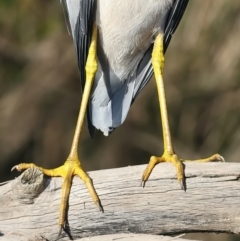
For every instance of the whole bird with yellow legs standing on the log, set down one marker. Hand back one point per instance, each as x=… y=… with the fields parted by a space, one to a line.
x=120 y=45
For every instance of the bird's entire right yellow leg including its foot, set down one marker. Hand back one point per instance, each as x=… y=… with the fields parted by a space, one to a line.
x=169 y=154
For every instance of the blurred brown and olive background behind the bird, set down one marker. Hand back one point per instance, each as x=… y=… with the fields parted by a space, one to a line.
x=40 y=92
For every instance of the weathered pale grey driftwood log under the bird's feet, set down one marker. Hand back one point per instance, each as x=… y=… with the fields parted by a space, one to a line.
x=211 y=203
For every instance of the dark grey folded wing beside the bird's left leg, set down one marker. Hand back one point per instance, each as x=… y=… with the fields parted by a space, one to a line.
x=79 y=15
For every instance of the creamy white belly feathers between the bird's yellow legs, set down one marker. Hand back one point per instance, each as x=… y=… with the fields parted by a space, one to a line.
x=127 y=28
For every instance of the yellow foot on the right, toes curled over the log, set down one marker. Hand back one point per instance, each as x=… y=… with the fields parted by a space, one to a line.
x=178 y=163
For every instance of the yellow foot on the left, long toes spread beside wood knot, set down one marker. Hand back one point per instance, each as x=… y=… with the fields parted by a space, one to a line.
x=70 y=168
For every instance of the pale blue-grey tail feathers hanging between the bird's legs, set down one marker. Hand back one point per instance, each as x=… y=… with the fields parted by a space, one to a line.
x=112 y=98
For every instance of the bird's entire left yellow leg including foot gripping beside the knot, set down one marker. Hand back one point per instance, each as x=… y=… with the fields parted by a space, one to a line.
x=72 y=166
